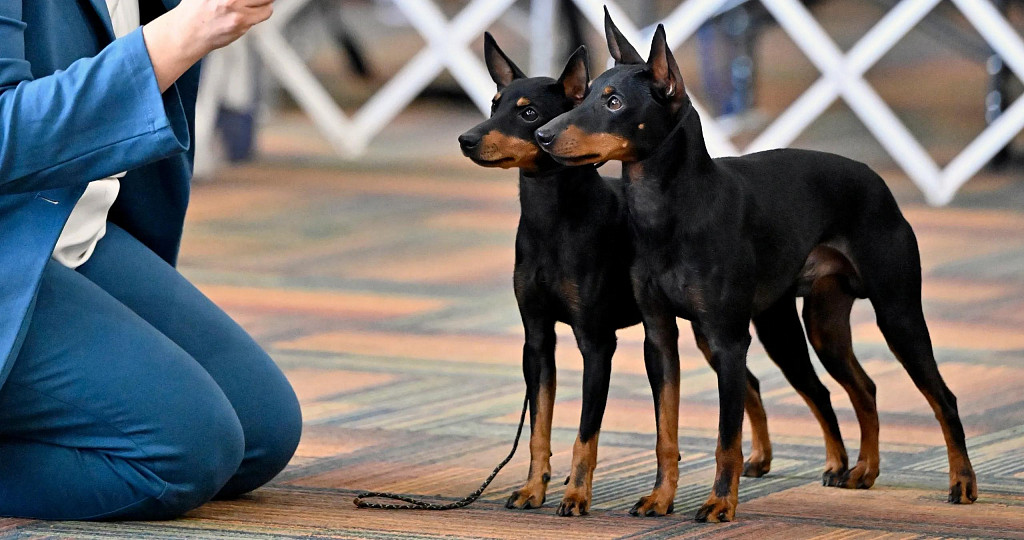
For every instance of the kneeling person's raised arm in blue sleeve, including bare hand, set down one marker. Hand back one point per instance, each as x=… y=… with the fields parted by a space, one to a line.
x=110 y=113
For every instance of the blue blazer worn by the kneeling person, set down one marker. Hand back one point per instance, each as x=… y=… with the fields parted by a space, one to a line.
x=77 y=106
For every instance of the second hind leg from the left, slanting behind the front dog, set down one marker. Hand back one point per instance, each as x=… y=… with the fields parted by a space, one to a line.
x=780 y=331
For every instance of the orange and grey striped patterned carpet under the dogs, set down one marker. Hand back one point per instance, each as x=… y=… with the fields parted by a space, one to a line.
x=386 y=295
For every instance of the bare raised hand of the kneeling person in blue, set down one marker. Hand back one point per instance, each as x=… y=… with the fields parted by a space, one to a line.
x=180 y=38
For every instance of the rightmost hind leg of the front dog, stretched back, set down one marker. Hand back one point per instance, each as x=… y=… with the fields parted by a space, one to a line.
x=895 y=293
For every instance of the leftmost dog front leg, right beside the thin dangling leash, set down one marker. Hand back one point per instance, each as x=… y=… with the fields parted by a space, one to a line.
x=539 y=370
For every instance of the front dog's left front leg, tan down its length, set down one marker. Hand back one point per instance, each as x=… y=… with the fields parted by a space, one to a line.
x=661 y=349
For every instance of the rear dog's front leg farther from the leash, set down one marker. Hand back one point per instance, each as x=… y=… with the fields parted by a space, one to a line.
x=598 y=349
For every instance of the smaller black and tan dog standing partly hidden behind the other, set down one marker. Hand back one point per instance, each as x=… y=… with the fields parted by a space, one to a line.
x=573 y=262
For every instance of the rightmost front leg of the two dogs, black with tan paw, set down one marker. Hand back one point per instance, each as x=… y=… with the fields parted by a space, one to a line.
x=729 y=345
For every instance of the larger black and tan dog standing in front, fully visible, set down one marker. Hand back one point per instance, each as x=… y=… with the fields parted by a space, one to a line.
x=722 y=242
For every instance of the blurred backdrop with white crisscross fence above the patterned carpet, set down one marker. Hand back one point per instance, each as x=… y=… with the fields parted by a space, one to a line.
x=375 y=81
